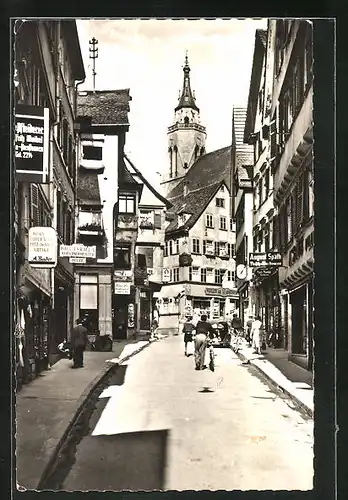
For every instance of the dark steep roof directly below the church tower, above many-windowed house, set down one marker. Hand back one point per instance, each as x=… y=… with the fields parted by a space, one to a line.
x=201 y=182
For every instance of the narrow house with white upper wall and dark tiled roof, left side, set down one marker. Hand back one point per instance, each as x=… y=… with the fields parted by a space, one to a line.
x=103 y=118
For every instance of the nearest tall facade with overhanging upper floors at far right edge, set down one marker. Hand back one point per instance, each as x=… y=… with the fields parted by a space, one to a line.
x=292 y=163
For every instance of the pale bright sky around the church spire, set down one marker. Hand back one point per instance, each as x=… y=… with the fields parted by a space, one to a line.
x=147 y=56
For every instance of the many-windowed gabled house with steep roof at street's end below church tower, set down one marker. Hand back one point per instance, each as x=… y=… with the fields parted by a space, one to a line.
x=199 y=271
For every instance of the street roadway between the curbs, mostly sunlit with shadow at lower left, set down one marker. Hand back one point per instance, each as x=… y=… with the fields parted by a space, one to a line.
x=162 y=425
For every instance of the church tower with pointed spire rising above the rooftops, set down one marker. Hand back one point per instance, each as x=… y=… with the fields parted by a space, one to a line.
x=186 y=137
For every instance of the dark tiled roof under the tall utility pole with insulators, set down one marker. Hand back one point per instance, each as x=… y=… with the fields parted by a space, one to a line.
x=105 y=107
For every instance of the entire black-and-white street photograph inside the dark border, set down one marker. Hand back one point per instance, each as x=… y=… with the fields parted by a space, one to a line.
x=164 y=254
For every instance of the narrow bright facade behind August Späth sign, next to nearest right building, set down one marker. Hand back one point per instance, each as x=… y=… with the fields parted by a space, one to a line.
x=265 y=280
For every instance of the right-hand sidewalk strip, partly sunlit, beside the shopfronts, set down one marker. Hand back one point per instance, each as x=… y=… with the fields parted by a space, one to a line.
x=294 y=380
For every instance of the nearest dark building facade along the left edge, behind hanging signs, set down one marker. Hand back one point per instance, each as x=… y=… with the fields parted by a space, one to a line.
x=47 y=69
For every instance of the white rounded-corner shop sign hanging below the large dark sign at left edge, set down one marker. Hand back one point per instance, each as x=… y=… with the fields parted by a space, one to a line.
x=42 y=247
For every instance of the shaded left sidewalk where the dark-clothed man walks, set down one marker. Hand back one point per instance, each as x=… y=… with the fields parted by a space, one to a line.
x=47 y=406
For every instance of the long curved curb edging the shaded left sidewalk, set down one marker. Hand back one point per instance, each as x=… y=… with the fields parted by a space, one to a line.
x=81 y=403
